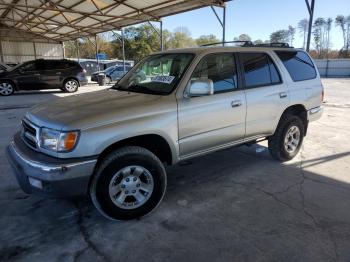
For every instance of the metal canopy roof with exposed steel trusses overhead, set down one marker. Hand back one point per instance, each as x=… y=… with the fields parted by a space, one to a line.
x=62 y=20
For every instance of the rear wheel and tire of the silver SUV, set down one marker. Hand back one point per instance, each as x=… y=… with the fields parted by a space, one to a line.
x=285 y=144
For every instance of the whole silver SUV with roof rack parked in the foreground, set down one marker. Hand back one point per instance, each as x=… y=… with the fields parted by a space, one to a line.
x=115 y=144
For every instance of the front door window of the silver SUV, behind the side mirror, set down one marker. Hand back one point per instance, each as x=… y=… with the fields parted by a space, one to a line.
x=221 y=69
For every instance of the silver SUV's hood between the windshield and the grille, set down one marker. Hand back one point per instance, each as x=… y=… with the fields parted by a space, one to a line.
x=92 y=109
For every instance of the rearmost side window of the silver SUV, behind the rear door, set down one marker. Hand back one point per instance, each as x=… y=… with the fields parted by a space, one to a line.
x=298 y=64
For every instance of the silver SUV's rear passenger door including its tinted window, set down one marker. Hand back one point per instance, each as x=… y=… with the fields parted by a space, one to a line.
x=266 y=94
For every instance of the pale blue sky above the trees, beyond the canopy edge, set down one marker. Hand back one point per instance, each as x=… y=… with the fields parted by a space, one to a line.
x=259 y=18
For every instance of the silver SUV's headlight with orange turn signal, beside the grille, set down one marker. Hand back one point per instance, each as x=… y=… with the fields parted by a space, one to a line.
x=57 y=141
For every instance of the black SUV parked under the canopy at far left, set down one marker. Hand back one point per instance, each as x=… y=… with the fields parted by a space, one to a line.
x=43 y=74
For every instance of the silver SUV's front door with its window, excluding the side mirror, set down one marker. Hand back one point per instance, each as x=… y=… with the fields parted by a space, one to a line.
x=208 y=122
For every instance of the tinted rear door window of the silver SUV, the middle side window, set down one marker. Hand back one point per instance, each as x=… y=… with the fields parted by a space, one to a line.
x=259 y=70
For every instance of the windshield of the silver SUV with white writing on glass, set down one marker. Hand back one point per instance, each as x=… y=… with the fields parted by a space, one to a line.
x=156 y=74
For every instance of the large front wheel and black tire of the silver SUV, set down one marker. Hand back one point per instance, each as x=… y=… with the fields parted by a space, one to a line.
x=129 y=183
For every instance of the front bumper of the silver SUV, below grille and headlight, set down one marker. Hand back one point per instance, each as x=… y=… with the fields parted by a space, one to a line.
x=41 y=174
